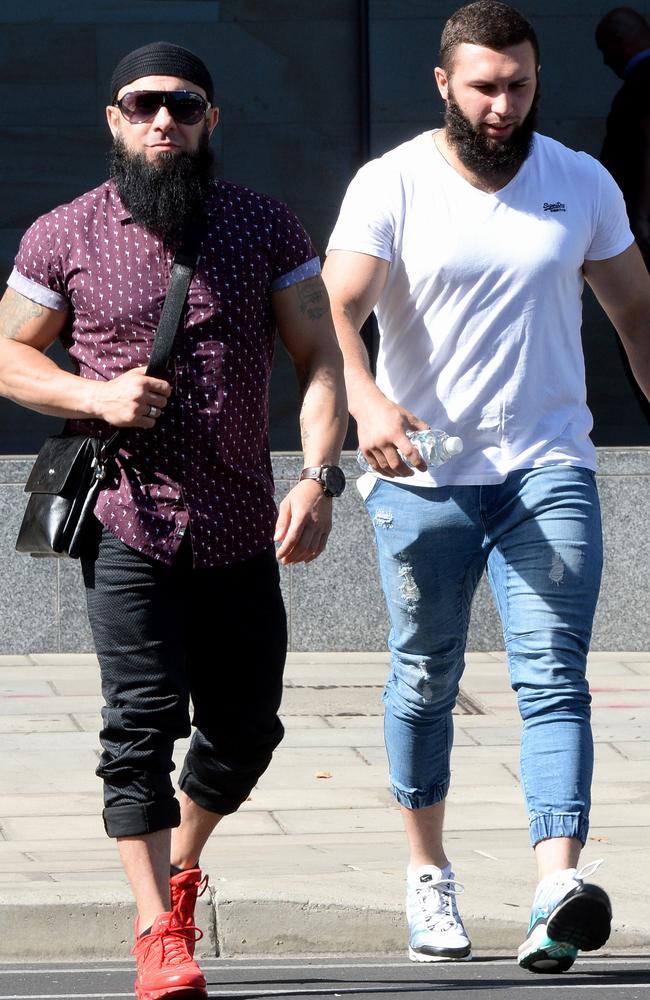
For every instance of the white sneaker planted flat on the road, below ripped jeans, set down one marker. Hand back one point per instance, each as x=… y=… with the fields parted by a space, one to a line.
x=436 y=932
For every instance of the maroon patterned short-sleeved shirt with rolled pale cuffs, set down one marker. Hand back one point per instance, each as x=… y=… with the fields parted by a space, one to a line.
x=206 y=464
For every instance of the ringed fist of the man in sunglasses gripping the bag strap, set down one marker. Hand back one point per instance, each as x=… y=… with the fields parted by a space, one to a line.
x=132 y=399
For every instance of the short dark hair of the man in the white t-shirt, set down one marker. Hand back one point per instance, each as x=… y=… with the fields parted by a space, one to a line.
x=485 y=22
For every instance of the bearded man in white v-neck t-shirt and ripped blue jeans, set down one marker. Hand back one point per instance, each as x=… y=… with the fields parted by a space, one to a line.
x=472 y=244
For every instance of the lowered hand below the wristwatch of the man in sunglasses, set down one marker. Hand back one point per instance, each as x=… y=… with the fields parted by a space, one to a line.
x=304 y=523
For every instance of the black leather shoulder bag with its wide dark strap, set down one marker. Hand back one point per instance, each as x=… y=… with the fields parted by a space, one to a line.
x=69 y=470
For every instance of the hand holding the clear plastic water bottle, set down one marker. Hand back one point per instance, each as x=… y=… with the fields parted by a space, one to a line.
x=382 y=430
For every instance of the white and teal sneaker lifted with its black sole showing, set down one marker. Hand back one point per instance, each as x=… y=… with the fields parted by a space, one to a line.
x=568 y=914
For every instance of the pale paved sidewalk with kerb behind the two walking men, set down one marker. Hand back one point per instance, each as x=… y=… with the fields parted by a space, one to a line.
x=314 y=862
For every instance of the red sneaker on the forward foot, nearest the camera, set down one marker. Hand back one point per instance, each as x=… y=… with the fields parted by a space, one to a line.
x=165 y=966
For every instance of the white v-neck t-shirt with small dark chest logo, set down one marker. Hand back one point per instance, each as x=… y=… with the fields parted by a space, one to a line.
x=480 y=316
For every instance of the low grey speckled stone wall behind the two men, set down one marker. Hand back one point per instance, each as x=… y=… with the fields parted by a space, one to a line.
x=336 y=603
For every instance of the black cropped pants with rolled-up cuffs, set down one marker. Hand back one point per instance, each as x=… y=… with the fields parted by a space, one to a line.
x=165 y=634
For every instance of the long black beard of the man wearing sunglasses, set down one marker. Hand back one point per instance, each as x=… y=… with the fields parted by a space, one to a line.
x=164 y=195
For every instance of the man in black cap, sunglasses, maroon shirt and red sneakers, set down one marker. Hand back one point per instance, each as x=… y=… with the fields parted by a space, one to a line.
x=183 y=583
